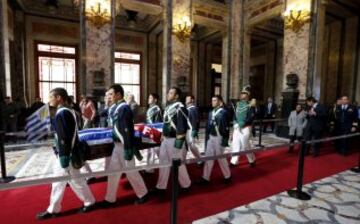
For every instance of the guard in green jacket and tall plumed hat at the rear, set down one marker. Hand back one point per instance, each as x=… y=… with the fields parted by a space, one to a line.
x=243 y=118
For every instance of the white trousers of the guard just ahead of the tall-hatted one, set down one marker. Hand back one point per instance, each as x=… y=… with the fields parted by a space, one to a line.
x=214 y=148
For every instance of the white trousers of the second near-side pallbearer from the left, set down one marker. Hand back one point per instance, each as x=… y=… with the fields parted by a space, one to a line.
x=117 y=162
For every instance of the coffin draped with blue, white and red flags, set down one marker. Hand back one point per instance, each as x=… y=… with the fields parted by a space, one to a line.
x=100 y=141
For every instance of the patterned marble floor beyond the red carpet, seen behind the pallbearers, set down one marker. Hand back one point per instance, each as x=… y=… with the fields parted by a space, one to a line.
x=35 y=162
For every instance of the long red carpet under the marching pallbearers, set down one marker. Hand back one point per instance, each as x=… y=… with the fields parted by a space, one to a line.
x=275 y=172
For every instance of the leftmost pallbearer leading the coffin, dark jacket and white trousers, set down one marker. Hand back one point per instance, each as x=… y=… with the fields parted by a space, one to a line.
x=66 y=140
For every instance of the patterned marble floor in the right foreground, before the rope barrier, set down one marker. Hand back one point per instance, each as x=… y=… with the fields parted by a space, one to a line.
x=335 y=200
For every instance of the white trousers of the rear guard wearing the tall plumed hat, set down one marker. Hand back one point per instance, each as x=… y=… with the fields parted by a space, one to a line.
x=241 y=142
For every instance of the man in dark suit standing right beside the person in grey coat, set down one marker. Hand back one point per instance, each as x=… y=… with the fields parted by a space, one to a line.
x=317 y=117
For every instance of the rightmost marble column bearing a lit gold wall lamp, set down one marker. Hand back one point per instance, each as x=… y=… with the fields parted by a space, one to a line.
x=303 y=49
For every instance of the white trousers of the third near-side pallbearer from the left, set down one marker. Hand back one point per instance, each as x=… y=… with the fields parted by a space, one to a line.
x=167 y=153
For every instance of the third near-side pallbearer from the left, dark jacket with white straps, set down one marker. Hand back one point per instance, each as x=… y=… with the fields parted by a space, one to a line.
x=172 y=145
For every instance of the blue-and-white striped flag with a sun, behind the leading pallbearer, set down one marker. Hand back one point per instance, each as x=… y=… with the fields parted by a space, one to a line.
x=38 y=124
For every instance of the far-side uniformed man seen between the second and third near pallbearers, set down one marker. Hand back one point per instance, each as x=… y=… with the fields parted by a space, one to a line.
x=153 y=115
